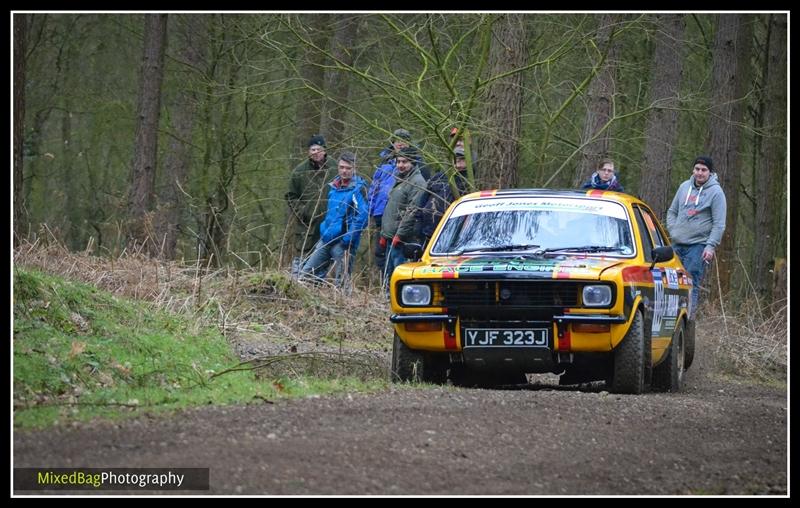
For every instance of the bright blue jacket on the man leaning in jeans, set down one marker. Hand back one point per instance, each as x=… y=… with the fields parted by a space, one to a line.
x=347 y=212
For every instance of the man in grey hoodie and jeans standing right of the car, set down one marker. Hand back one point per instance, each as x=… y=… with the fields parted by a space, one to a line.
x=696 y=221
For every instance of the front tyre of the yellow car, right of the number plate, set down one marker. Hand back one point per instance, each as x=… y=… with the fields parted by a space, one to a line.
x=629 y=370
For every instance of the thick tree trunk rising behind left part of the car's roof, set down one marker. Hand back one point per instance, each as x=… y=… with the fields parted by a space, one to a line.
x=499 y=142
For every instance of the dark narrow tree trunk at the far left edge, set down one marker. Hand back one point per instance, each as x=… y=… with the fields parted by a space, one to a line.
x=20 y=46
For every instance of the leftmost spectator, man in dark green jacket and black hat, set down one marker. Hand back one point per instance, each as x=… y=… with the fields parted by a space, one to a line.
x=307 y=199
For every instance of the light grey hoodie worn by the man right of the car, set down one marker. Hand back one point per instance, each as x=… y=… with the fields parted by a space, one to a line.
x=697 y=215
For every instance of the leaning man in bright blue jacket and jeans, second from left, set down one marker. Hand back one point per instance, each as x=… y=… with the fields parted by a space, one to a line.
x=345 y=219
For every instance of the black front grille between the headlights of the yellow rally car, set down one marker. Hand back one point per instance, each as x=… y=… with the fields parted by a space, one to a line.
x=511 y=294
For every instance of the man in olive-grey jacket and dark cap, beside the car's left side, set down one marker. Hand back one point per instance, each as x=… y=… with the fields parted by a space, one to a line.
x=399 y=217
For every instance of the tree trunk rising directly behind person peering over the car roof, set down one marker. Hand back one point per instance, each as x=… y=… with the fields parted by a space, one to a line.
x=600 y=98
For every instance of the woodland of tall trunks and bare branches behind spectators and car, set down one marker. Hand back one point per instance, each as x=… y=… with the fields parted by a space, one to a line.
x=174 y=134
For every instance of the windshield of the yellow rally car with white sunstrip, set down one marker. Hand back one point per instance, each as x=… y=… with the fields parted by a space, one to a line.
x=536 y=224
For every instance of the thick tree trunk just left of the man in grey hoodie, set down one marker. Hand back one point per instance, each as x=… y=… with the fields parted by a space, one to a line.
x=662 y=124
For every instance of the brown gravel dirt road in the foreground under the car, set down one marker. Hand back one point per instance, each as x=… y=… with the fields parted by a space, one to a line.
x=717 y=437
